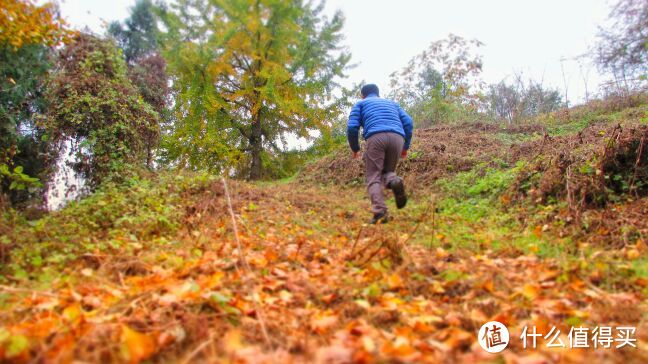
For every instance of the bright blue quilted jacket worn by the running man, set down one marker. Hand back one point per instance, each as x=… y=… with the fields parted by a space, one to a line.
x=376 y=115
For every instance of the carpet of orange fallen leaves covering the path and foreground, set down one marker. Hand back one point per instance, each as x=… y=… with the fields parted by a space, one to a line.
x=321 y=286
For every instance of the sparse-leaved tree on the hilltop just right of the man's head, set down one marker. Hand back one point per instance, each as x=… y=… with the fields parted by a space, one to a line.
x=440 y=81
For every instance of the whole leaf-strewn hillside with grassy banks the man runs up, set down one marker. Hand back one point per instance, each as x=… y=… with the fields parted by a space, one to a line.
x=541 y=224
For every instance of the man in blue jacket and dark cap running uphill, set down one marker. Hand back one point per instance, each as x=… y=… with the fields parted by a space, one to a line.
x=388 y=132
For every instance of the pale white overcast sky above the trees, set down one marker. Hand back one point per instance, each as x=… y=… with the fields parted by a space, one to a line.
x=528 y=37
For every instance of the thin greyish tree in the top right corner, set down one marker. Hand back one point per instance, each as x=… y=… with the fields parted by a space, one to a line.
x=622 y=48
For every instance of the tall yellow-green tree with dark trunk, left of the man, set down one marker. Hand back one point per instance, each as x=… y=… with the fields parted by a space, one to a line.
x=246 y=73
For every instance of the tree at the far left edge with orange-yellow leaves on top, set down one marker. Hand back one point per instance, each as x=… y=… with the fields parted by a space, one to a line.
x=28 y=32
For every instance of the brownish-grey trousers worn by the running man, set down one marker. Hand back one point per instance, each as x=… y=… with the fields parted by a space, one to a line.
x=381 y=157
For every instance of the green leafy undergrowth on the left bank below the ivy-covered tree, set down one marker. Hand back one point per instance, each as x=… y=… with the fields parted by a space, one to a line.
x=116 y=219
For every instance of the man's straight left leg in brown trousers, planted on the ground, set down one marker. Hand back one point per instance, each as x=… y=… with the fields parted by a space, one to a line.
x=374 y=158
